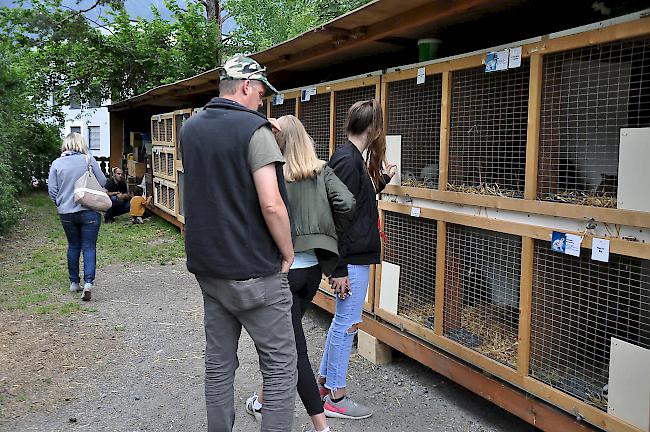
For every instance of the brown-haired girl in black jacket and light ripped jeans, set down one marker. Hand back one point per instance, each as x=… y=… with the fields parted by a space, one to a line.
x=359 y=246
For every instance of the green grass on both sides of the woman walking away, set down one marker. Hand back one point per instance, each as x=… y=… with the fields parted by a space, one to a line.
x=35 y=268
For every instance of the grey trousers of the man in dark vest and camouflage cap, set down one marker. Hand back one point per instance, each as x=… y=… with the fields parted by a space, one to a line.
x=263 y=307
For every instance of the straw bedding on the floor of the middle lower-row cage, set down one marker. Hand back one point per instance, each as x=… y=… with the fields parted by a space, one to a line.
x=496 y=340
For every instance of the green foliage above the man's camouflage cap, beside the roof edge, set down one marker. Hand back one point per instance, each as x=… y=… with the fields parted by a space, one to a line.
x=262 y=24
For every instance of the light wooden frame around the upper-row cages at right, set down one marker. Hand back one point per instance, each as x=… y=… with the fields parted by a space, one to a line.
x=535 y=52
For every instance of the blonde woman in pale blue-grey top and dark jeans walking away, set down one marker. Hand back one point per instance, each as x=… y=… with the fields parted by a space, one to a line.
x=80 y=224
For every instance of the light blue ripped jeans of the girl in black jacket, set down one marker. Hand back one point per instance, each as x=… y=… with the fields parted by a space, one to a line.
x=338 y=346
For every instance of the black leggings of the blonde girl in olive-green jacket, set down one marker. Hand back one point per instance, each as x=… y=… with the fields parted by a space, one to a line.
x=304 y=283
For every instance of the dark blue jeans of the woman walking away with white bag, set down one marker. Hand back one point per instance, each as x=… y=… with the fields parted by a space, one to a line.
x=81 y=229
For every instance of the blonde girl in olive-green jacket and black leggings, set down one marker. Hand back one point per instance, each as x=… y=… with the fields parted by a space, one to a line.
x=320 y=206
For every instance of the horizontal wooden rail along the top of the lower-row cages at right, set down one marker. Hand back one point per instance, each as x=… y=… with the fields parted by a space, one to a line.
x=617 y=246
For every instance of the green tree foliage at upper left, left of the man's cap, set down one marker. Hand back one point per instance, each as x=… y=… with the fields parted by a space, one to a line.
x=113 y=57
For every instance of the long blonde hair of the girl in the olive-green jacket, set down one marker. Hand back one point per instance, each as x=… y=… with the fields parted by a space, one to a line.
x=297 y=147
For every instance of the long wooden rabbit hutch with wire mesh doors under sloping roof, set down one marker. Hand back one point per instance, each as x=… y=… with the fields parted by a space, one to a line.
x=516 y=233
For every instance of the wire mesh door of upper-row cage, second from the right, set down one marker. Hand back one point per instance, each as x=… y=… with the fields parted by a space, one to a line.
x=487 y=144
